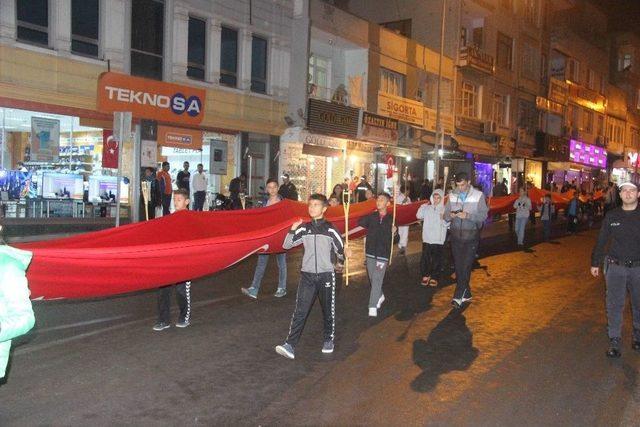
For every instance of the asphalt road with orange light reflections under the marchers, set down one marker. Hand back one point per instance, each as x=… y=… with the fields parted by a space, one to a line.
x=528 y=351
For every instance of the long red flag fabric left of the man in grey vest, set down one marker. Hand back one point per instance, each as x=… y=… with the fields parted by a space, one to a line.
x=171 y=249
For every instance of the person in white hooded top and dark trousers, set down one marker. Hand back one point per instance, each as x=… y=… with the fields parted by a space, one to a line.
x=434 y=234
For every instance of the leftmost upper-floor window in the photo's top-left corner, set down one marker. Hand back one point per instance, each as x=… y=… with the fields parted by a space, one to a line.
x=33 y=21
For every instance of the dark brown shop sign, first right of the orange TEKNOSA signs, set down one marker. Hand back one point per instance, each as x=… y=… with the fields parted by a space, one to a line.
x=332 y=119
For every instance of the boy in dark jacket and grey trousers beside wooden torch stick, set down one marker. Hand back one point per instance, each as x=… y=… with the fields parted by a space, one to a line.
x=380 y=232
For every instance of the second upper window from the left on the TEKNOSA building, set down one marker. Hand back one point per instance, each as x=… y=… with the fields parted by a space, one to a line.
x=85 y=26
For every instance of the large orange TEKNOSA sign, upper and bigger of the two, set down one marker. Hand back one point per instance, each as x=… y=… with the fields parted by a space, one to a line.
x=150 y=99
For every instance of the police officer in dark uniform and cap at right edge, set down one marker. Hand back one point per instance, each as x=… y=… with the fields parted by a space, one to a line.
x=620 y=232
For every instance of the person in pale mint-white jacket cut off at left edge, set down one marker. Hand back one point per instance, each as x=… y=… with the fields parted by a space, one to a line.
x=16 y=313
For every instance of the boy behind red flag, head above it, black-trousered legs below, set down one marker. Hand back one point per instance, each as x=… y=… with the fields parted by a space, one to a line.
x=183 y=290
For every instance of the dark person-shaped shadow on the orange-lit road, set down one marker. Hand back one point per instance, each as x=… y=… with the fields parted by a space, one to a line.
x=449 y=347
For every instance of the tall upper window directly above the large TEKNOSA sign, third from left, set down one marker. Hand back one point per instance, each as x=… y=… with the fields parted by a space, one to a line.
x=147 y=29
